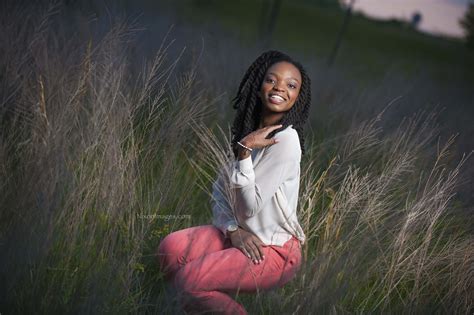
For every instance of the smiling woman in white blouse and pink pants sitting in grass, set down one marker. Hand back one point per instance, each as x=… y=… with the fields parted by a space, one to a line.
x=255 y=240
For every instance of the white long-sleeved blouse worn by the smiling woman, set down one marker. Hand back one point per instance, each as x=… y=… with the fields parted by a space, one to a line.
x=260 y=192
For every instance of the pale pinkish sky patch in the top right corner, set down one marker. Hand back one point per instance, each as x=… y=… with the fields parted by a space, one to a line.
x=438 y=16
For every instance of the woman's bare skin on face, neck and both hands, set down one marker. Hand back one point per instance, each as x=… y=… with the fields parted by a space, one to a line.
x=278 y=93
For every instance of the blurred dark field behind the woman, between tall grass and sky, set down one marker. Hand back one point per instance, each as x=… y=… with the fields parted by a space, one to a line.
x=379 y=64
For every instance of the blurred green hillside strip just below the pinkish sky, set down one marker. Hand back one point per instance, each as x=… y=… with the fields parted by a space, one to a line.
x=368 y=46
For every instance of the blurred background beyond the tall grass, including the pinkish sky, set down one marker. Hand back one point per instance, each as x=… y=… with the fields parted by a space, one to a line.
x=362 y=55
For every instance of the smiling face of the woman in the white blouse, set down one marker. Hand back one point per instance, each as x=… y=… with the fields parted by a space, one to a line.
x=280 y=87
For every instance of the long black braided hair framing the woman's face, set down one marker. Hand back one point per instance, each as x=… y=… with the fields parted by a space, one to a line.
x=249 y=105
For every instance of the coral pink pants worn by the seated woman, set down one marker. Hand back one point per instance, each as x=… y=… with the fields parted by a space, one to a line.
x=205 y=269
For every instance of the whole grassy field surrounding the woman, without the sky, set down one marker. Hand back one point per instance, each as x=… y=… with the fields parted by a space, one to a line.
x=111 y=136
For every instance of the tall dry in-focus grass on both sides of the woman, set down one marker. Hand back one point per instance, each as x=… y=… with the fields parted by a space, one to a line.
x=99 y=163
